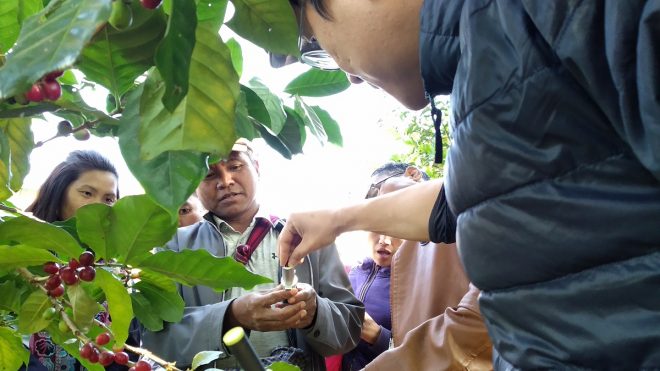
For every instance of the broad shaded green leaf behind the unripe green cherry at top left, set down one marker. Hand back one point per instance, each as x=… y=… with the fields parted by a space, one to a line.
x=114 y=59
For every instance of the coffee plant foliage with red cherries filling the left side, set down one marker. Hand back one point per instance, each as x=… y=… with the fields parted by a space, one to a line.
x=175 y=103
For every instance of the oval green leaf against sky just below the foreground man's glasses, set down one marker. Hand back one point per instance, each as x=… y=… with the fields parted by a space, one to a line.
x=318 y=83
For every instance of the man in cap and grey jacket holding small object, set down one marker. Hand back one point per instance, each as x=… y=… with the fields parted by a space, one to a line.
x=322 y=317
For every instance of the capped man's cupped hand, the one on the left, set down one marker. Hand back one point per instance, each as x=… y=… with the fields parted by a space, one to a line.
x=259 y=311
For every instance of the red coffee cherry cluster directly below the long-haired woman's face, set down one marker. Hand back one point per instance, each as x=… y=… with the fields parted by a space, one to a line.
x=82 y=269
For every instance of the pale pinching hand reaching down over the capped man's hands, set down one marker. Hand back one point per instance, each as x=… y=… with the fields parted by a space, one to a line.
x=306 y=232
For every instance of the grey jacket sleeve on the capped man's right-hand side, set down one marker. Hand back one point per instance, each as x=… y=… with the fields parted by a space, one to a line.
x=339 y=314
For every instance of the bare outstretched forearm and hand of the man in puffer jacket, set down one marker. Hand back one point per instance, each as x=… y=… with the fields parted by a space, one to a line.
x=402 y=214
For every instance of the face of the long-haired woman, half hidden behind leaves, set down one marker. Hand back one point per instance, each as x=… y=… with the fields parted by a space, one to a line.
x=91 y=187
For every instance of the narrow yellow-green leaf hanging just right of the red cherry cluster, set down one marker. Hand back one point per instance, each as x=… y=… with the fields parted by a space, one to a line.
x=119 y=304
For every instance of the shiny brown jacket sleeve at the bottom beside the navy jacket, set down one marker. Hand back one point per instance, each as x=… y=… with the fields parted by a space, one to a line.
x=454 y=340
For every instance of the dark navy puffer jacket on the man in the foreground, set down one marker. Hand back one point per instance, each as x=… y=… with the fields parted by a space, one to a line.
x=554 y=173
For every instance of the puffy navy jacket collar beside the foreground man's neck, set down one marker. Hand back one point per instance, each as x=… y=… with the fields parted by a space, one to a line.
x=439 y=44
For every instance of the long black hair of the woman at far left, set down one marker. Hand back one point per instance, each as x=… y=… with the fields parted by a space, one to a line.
x=51 y=194
